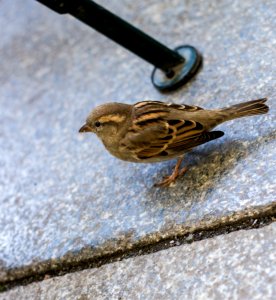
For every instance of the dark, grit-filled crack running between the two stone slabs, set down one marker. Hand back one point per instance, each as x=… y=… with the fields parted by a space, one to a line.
x=246 y=223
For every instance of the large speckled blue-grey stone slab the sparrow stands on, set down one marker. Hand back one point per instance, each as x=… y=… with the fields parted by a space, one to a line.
x=62 y=197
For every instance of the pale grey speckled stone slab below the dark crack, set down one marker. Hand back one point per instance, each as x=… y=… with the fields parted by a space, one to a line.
x=240 y=265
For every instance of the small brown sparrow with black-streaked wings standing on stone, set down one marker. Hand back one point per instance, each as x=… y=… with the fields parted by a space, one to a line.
x=154 y=131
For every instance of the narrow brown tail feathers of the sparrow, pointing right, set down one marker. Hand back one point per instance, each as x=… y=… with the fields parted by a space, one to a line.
x=250 y=108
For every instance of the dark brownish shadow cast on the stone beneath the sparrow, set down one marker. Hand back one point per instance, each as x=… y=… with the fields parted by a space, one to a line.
x=206 y=168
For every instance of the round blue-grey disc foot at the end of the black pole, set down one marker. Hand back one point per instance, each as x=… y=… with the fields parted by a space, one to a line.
x=180 y=74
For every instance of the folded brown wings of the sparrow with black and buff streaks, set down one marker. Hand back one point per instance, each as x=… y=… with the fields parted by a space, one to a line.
x=155 y=133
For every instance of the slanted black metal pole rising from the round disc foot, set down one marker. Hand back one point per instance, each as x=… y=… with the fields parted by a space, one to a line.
x=125 y=34
